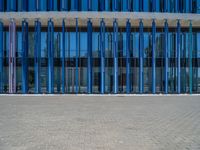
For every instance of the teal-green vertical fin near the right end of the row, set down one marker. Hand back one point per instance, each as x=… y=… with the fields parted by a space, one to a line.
x=190 y=58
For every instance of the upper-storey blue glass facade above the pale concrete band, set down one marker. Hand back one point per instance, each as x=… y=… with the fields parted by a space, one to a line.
x=173 y=6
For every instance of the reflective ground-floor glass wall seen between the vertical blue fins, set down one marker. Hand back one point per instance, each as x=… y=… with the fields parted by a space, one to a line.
x=76 y=60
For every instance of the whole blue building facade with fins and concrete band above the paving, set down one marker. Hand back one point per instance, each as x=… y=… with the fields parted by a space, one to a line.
x=100 y=46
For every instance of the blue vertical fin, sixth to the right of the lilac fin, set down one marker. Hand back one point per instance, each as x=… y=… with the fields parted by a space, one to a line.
x=89 y=55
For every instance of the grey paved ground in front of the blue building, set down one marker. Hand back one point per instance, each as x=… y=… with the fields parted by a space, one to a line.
x=100 y=123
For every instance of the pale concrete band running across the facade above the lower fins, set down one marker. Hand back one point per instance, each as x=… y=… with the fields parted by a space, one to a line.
x=97 y=16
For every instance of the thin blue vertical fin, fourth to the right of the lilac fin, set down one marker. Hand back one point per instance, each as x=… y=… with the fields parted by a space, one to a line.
x=63 y=56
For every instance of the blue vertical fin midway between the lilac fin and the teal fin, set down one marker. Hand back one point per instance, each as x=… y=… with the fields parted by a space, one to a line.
x=102 y=49
